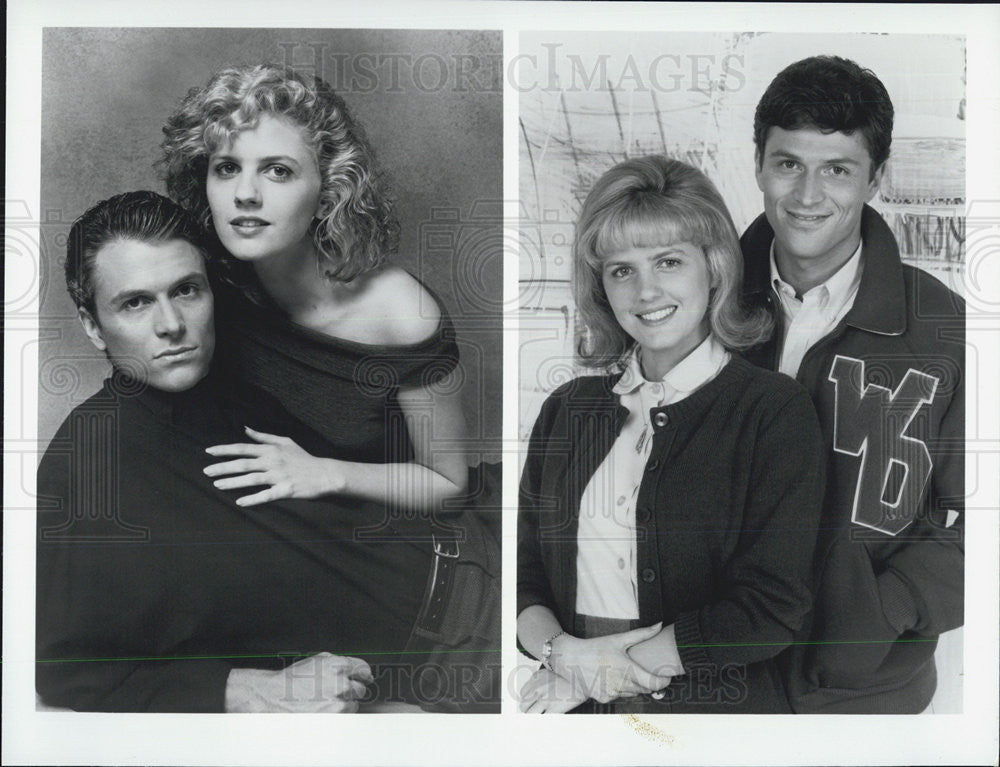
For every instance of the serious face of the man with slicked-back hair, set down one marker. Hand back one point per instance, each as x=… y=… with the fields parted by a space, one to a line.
x=154 y=311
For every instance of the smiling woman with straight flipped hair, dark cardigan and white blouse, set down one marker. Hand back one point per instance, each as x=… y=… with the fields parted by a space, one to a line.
x=644 y=583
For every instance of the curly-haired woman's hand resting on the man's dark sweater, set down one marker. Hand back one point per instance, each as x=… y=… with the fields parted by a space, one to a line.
x=278 y=464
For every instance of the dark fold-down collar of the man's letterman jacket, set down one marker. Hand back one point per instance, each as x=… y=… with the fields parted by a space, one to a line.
x=880 y=306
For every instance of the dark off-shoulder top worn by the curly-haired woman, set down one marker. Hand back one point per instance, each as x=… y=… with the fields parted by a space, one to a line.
x=345 y=390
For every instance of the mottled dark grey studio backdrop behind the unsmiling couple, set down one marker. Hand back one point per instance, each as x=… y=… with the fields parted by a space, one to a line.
x=429 y=101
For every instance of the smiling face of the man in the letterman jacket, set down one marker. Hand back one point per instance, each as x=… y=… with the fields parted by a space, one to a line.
x=815 y=186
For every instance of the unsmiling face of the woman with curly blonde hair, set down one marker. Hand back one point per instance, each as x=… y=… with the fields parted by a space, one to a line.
x=264 y=191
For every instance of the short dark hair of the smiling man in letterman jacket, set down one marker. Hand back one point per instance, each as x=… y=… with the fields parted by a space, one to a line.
x=831 y=94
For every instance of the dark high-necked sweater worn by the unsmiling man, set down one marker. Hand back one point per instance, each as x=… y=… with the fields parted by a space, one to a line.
x=153 y=584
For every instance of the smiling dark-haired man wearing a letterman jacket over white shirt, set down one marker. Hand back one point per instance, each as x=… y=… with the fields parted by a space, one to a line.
x=880 y=347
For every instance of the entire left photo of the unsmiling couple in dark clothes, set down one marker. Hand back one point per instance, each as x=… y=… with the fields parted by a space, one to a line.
x=270 y=371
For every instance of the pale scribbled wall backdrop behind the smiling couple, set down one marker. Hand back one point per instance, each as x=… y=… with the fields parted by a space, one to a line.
x=591 y=100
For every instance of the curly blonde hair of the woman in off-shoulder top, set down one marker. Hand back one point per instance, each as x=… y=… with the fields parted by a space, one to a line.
x=358 y=229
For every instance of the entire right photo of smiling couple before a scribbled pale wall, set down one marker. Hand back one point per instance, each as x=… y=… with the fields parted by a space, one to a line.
x=742 y=372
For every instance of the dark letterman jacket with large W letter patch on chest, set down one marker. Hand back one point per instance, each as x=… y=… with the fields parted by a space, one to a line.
x=888 y=384
